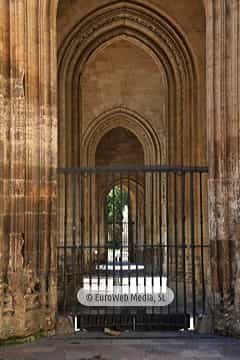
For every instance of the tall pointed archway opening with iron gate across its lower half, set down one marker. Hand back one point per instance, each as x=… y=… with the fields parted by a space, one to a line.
x=122 y=132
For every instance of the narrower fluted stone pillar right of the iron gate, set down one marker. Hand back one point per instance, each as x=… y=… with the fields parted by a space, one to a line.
x=223 y=81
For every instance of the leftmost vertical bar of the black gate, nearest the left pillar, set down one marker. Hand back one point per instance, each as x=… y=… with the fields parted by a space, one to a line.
x=65 y=242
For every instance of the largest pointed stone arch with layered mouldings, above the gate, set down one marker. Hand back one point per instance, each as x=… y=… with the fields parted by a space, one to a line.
x=162 y=41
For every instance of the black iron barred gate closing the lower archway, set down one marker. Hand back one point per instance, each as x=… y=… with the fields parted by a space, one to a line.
x=138 y=227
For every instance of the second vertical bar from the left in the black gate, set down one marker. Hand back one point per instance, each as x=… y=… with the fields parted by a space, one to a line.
x=74 y=240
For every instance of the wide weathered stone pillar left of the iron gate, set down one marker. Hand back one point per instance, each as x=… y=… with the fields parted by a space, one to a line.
x=28 y=162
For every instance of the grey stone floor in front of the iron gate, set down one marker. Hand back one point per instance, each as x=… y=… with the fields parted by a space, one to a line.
x=149 y=346
